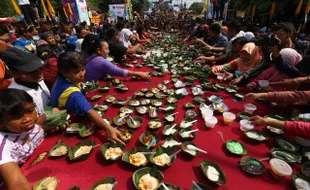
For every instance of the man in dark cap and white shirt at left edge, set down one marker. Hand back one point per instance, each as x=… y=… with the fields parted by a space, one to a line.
x=26 y=70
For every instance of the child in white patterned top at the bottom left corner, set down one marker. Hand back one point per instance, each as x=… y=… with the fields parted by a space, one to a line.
x=19 y=135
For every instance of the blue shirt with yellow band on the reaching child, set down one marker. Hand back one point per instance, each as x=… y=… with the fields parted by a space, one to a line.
x=67 y=95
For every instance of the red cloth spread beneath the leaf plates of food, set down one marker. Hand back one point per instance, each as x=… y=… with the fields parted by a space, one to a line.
x=181 y=173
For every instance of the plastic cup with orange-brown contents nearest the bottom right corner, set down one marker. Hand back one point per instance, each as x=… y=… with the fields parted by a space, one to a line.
x=280 y=168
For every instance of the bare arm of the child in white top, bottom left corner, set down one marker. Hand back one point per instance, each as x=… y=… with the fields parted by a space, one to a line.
x=13 y=177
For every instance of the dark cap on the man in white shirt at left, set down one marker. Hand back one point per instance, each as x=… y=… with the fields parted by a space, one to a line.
x=20 y=60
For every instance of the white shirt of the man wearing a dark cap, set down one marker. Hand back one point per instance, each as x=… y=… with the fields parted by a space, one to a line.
x=41 y=96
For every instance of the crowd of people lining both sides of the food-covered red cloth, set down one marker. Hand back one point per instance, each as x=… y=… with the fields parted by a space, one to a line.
x=44 y=67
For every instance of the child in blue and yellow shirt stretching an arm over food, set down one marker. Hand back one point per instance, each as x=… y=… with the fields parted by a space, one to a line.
x=67 y=94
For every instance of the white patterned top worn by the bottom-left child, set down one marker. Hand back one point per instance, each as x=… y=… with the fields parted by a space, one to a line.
x=18 y=147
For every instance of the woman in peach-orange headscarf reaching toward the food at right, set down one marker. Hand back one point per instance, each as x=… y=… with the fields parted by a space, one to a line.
x=249 y=56
